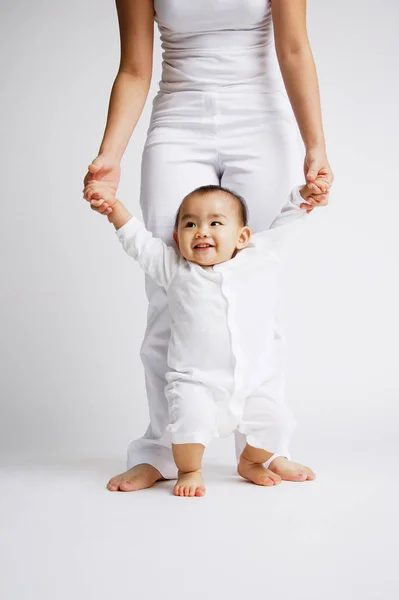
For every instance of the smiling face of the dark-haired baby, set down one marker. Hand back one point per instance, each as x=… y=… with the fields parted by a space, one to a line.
x=209 y=229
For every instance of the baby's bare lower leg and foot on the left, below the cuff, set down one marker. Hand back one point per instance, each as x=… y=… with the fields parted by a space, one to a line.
x=188 y=459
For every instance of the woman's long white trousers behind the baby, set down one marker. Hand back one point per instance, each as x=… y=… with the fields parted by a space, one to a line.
x=246 y=142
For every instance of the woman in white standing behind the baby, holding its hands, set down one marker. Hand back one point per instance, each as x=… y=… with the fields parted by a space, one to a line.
x=232 y=74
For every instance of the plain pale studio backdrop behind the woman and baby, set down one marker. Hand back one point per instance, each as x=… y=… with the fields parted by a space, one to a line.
x=73 y=306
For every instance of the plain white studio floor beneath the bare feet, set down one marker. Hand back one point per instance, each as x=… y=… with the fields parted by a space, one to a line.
x=63 y=535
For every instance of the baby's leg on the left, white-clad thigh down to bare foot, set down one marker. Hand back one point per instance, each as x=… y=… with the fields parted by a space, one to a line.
x=193 y=424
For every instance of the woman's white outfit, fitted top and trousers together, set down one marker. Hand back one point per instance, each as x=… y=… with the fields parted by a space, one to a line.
x=212 y=122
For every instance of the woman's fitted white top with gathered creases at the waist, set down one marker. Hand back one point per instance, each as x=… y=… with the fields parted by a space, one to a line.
x=217 y=45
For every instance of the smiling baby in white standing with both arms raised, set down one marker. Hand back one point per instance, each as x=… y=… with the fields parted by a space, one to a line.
x=222 y=293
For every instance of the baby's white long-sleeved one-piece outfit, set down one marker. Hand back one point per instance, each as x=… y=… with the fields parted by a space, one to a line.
x=220 y=356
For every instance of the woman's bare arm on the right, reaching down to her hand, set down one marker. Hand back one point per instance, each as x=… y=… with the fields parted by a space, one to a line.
x=300 y=78
